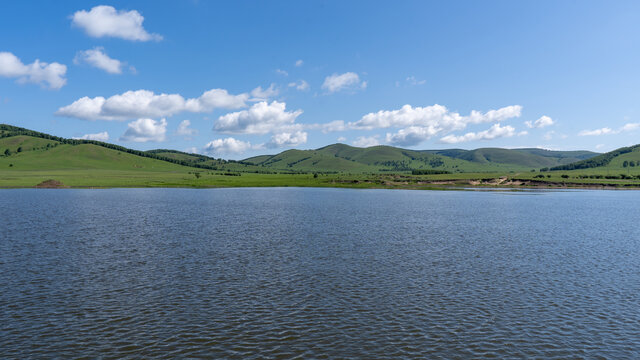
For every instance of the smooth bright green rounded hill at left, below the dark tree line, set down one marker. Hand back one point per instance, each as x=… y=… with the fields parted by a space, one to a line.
x=84 y=157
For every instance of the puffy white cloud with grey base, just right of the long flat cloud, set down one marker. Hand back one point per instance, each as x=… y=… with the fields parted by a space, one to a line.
x=261 y=118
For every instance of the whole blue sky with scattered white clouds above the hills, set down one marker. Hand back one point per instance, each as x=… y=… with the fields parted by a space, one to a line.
x=236 y=79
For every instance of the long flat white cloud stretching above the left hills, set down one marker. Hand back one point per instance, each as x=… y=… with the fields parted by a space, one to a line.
x=147 y=104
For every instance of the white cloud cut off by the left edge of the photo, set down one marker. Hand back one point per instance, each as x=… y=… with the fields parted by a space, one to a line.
x=36 y=72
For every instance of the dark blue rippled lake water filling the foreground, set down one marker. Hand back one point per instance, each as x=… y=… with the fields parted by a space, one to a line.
x=319 y=273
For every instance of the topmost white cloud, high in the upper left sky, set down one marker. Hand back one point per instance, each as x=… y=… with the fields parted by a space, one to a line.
x=106 y=21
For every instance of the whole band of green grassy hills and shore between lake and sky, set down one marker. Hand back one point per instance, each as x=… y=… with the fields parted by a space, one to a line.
x=28 y=158
